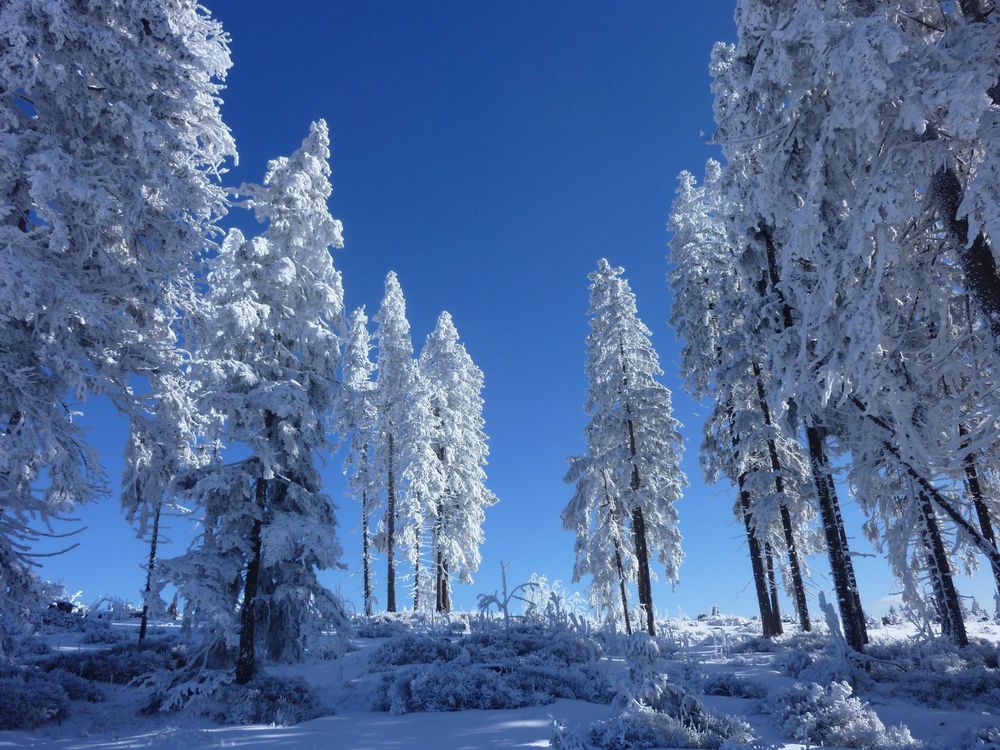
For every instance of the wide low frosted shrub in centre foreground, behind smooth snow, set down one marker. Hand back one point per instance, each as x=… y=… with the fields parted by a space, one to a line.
x=456 y=686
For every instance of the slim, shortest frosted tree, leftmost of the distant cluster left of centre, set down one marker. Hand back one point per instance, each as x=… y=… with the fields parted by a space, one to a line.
x=356 y=419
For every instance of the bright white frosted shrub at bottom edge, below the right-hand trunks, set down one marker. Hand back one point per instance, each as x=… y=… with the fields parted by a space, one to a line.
x=834 y=716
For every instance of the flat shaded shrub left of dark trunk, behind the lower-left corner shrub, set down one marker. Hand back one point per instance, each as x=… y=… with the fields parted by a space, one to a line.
x=120 y=664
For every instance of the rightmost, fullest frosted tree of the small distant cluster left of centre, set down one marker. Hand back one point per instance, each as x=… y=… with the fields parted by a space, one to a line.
x=455 y=386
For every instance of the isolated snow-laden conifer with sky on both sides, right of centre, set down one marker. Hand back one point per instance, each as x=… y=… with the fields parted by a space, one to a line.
x=631 y=471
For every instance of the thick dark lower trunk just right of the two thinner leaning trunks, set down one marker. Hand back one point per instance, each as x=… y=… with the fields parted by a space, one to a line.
x=847 y=598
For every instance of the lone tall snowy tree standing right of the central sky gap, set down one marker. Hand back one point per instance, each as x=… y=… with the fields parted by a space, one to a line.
x=632 y=431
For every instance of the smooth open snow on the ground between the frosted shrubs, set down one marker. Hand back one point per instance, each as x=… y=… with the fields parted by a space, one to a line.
x=709 y=647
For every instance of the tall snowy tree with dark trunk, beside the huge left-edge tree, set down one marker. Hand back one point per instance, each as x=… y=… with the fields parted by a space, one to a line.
x=271 y=354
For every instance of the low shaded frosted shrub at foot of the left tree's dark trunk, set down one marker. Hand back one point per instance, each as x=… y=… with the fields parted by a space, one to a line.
x=265 y=699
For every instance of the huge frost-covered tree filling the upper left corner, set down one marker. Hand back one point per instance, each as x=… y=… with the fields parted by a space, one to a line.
x=111 y=142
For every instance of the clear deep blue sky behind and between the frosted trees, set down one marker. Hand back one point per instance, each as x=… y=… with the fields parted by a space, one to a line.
x=490 y=153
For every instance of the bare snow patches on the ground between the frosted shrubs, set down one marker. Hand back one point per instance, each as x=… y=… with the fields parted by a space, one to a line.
x=718 y=651
